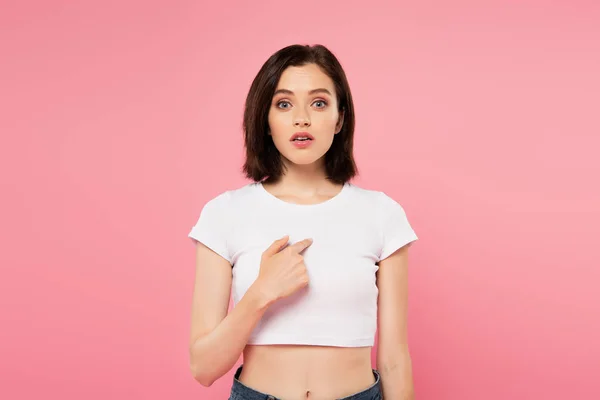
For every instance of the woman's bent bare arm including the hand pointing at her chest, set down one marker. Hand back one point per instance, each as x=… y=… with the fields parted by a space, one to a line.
x=218 y=338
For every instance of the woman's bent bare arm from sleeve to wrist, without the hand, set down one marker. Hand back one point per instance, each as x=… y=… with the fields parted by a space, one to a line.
x=218 y=338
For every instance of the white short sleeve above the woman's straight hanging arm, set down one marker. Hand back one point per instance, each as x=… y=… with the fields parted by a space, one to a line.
x=396 y=231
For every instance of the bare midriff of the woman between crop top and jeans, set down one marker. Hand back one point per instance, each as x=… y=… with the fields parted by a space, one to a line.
x=307 y=372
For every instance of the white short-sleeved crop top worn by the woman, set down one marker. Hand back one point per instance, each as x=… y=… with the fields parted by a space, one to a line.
x=351 y=232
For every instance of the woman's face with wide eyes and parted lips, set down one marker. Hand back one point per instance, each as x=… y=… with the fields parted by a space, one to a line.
x=304 y=101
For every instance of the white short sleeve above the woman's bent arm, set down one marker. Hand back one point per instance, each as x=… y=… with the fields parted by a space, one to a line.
x=213 y=225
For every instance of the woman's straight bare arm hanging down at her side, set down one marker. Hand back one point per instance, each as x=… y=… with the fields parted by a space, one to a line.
x=393 y=358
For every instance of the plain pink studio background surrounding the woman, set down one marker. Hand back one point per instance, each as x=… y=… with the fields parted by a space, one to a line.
x=119 y=119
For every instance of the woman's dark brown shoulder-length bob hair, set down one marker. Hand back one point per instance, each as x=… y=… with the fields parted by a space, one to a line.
x=263 y=160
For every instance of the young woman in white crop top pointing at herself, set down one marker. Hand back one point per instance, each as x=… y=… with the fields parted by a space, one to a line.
x=316 y=264
